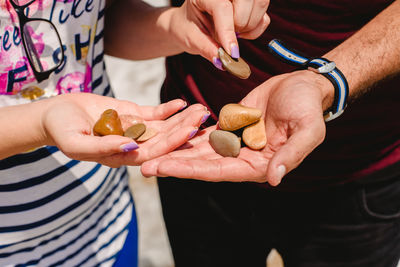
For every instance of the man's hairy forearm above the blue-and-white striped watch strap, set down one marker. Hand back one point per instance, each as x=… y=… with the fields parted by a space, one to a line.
x=370 y=55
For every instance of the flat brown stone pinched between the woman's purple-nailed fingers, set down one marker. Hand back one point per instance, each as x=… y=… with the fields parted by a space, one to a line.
x=237 y=67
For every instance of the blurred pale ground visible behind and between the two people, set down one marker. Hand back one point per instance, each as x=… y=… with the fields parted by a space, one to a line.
x=140 y=82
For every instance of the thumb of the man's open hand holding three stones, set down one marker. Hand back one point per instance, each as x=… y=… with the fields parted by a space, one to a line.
x=293 y=152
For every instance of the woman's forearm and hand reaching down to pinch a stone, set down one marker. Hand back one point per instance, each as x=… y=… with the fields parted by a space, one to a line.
x=136 y=30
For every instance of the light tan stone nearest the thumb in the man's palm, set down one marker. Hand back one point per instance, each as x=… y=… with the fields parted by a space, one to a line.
x=254 y=135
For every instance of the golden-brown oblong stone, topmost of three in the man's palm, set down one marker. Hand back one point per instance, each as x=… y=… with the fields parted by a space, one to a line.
x=235 y=116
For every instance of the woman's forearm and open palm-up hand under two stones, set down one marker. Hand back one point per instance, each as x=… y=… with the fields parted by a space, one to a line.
x=66 y=121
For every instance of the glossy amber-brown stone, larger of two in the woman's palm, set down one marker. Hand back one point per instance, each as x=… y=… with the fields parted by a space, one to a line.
x=109 y=123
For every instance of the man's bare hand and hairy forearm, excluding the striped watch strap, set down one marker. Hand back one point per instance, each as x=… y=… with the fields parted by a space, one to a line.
x=294 y=121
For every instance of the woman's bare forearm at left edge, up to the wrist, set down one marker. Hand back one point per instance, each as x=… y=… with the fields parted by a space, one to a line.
x=22 y=128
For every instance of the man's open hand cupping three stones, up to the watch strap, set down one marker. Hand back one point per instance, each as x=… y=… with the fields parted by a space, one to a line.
x=292 y=105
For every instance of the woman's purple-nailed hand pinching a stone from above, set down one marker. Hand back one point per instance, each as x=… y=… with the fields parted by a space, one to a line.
x=201 y=25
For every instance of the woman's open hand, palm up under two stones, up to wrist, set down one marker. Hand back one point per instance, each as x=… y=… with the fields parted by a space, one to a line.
x=69 y=120
